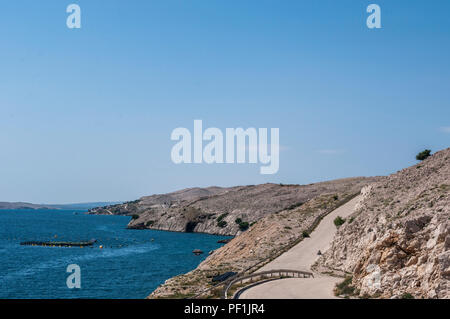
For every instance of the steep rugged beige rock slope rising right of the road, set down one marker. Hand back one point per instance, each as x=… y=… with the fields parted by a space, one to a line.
x=397 y=243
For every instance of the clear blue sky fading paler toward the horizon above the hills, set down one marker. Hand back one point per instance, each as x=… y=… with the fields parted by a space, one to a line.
x=86 y=115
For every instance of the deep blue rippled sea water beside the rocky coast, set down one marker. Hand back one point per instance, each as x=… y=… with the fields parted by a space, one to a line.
x=130 y=265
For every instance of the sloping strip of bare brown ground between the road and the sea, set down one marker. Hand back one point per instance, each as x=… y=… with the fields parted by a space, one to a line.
x=263 y=241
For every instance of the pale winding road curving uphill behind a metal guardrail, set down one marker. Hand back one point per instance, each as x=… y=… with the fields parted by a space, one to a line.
x=302 y=257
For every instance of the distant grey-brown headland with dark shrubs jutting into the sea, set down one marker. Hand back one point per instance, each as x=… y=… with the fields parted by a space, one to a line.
x=224 y=211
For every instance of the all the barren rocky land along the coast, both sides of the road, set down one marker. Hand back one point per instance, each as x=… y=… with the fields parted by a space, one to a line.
x=396 y=244
